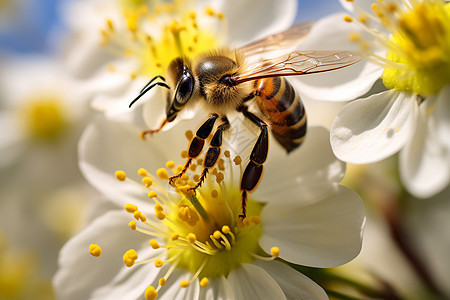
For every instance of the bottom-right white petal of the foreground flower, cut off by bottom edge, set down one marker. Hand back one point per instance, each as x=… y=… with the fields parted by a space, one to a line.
x=294 y=284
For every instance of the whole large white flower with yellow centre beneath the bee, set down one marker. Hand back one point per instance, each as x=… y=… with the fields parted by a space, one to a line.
x=299 y=209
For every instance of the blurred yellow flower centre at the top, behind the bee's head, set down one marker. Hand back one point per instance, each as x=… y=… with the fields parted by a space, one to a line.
x=155 y=35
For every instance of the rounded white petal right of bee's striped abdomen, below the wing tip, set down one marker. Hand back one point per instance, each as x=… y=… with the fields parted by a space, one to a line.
x=374 y=128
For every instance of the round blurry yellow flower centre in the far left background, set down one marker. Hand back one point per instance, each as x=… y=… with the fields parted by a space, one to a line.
x=44 y=118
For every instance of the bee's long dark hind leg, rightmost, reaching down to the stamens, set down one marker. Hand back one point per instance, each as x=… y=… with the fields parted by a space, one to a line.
x=253 y=171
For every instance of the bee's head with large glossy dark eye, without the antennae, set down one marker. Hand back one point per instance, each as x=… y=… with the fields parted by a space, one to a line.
x=182 y=84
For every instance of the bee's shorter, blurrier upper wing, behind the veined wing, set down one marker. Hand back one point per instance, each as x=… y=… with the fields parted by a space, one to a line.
x=281 y=40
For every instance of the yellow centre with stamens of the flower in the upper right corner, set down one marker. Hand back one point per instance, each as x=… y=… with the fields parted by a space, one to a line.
x=418 y=58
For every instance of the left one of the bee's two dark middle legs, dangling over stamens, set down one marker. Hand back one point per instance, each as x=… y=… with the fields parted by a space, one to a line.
x=196 y=144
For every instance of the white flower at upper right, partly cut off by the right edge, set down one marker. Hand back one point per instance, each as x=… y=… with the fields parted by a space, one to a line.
x=408 y=44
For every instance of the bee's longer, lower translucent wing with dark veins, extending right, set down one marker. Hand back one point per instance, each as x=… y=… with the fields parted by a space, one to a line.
x=298 y=63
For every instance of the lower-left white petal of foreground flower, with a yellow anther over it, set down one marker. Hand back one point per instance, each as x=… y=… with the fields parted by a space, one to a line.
x=79 y=273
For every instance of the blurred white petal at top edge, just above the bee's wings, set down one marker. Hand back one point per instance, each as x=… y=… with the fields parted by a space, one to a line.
x=268 y=18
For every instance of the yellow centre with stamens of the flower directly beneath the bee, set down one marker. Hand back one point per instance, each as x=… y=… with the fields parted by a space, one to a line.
x=200 y=232
